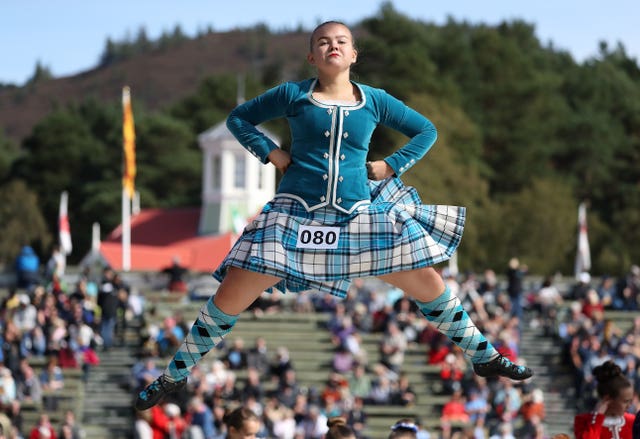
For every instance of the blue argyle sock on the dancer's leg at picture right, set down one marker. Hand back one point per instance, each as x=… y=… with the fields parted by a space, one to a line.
x=448 y=316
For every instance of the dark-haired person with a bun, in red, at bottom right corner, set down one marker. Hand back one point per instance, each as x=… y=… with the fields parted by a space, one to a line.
x=610 y=417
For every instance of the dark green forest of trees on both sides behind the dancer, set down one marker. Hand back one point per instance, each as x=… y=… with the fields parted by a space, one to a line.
x=525 y=134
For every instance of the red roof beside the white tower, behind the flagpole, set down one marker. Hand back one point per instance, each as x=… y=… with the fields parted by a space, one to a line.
x=159 y=235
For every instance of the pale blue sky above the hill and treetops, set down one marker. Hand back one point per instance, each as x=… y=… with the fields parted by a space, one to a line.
x=68 y=36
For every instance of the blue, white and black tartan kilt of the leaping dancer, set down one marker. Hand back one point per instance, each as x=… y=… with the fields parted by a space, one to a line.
x=396 y=232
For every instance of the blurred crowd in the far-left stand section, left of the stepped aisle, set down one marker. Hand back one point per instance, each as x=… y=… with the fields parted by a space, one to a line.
x=49 y=327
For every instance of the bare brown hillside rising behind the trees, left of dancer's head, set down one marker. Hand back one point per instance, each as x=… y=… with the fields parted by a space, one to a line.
x=157 y=78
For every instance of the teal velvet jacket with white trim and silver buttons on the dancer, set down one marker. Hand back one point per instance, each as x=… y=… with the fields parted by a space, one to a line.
x=330 y=142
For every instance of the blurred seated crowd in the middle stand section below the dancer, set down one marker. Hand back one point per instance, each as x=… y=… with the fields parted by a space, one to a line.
x=474 y=407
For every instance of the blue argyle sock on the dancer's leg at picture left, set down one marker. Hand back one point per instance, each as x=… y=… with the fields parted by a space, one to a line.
x=207 y=331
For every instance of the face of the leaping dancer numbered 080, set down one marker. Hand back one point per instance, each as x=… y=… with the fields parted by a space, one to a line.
x=332 y=48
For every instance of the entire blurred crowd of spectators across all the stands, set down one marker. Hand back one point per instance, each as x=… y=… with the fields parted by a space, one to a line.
x=49 y=326
